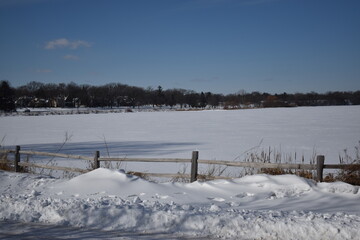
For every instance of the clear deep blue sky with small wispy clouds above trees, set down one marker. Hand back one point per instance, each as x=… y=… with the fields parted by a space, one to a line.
x=221 y=46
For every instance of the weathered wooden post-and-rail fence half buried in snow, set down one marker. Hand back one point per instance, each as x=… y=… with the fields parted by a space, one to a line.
x=194 y=160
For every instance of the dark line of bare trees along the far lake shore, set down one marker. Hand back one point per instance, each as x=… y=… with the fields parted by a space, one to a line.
x=36 y=94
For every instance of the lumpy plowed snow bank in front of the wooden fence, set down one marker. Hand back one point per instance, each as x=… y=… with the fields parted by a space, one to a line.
x=253 y=207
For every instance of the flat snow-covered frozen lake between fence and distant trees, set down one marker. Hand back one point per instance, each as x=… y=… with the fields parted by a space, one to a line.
x=217 y=135
